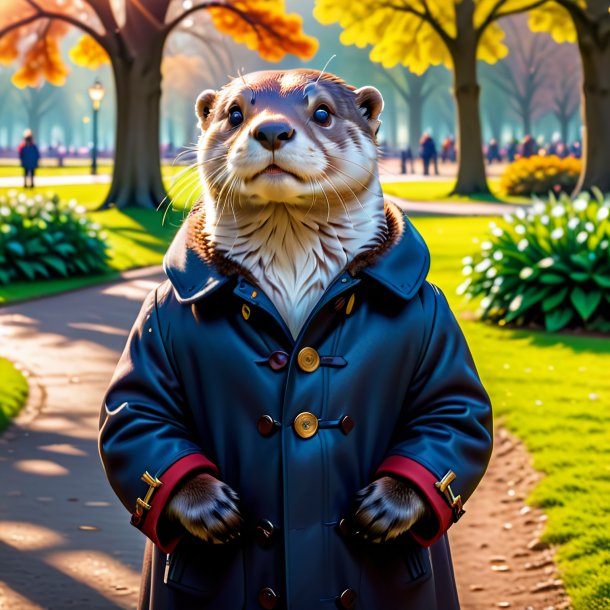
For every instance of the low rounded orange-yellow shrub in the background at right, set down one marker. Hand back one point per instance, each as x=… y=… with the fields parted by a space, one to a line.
x=538 y=175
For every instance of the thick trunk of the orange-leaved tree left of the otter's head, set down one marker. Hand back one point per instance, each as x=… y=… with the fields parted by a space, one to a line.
x=136 y=179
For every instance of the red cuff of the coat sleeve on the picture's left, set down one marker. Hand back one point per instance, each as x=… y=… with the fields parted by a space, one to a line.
x=148 y=523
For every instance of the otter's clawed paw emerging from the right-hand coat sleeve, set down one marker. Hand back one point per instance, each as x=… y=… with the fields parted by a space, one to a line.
x=385 y=509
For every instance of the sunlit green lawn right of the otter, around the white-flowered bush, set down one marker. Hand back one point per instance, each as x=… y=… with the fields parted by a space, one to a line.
x=552 y=391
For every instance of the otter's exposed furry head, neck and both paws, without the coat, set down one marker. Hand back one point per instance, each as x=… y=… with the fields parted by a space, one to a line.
x=291 y=194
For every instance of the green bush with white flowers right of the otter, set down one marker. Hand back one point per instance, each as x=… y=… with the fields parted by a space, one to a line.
x=547 y=266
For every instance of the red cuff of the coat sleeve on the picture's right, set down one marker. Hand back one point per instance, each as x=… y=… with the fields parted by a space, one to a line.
x=424 y=481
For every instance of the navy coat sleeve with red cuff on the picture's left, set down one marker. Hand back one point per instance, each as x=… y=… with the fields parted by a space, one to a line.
x=144 y=428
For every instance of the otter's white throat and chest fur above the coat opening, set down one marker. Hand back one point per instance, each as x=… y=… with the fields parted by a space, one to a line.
x=295 y=253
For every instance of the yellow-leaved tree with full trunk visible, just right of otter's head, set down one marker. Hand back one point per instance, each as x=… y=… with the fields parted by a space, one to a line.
x=420 y=33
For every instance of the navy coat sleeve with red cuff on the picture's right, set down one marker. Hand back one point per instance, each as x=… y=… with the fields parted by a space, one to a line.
x=446 y=424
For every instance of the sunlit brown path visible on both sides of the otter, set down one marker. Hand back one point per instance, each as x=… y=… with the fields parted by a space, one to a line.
x=65 y=542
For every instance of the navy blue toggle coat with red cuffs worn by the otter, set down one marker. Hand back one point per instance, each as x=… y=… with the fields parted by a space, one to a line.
x=200 y=387
